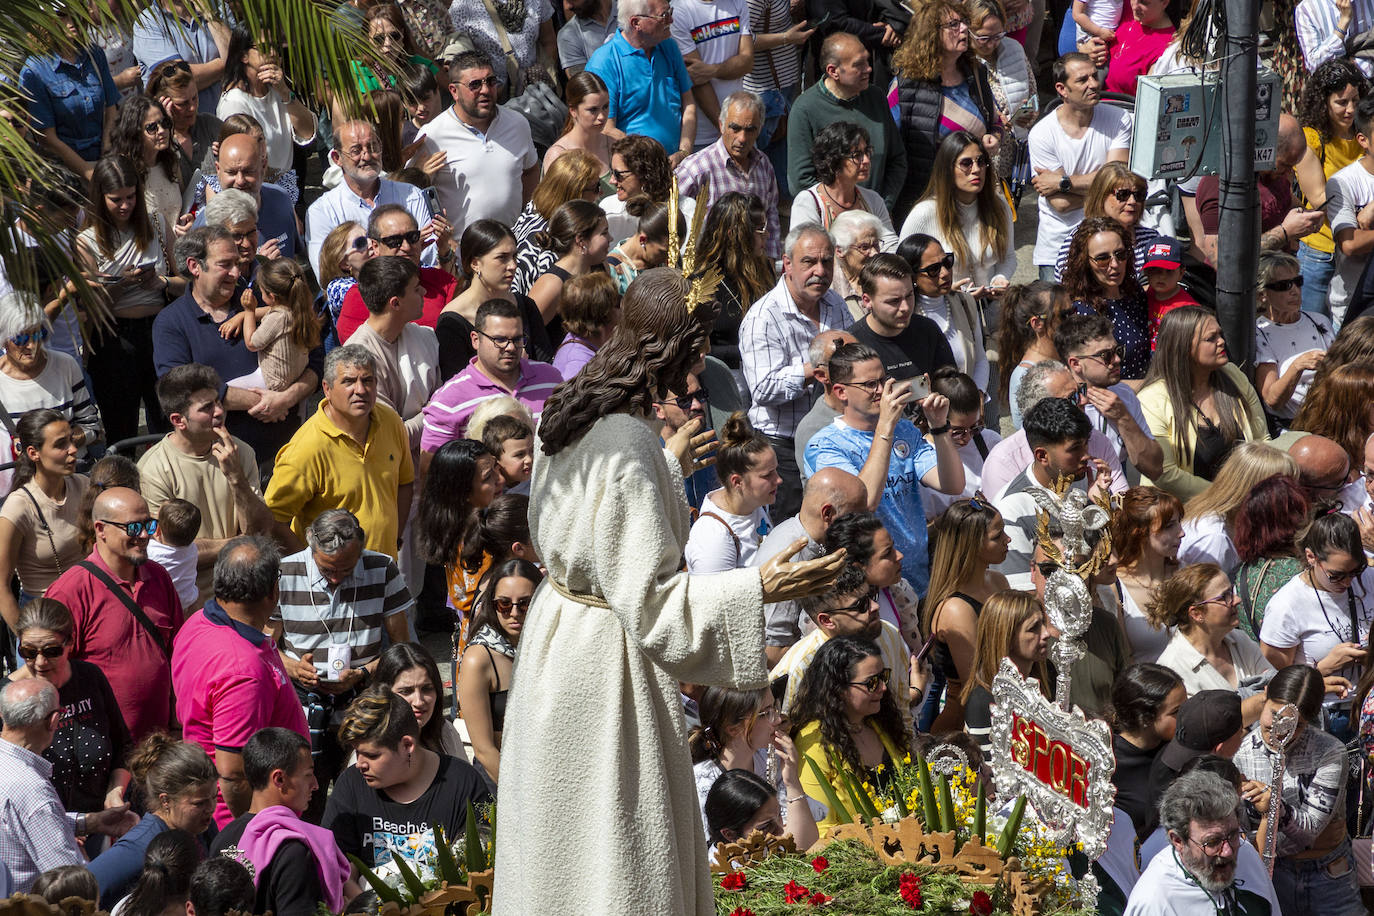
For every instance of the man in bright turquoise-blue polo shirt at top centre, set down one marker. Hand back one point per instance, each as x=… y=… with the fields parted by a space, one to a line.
x=651 y=91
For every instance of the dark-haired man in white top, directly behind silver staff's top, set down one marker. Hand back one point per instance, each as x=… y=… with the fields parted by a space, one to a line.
x=1057 y=433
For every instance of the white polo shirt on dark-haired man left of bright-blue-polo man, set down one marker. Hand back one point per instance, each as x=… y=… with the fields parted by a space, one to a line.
x=483 y=178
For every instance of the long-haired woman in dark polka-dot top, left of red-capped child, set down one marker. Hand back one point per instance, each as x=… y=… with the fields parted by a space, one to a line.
x=1101 y=281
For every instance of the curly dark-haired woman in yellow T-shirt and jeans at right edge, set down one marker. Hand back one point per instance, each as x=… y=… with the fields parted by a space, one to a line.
x=1328 y=117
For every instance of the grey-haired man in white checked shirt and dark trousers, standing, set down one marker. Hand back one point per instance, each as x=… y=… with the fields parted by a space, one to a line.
x=776 y=350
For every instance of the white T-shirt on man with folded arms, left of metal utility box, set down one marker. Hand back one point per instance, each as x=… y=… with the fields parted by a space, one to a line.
x=1055 y=150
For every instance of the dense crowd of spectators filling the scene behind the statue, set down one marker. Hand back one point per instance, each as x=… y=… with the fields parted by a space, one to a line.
x=277 y=414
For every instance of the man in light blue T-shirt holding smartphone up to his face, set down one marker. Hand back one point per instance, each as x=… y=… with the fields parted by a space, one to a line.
x=875 y=442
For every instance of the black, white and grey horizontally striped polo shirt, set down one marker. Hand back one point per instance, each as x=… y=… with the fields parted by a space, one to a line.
x=317 y=615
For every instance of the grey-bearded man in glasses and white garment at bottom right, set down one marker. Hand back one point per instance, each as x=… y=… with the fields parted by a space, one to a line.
x=1197 y=873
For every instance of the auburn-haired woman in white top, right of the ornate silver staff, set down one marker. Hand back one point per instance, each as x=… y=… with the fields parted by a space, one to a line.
x=1145 y=538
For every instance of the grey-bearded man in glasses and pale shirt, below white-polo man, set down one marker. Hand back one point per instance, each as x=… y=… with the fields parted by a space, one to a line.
x=358 y=153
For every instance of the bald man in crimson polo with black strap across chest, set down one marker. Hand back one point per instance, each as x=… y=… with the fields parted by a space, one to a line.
x=126 y=610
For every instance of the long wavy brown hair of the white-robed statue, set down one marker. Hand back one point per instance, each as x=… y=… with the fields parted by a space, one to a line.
x=653 y=350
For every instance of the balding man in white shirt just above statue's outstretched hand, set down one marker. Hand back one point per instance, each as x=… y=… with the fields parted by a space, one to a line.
x=829 y=494
